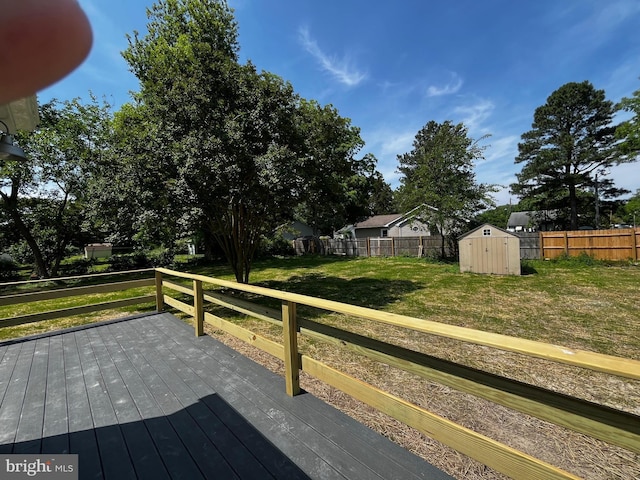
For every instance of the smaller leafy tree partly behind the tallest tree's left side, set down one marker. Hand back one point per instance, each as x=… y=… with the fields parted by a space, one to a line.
x=135 y=199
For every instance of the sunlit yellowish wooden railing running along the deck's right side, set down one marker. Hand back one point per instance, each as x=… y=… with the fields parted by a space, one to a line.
x=607 y=424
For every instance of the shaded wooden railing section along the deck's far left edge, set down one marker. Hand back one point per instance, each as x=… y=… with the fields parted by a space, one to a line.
x=58 y=293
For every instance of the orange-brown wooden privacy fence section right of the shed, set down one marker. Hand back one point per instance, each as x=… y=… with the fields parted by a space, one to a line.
x=618 y=244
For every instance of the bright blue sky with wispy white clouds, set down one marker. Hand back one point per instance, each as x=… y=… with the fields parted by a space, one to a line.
x=391 y=67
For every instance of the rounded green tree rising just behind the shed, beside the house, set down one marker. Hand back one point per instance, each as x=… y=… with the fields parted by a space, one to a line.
x=439 y=172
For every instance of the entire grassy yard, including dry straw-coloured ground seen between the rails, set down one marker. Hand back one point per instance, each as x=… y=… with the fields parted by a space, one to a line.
x=576 y=303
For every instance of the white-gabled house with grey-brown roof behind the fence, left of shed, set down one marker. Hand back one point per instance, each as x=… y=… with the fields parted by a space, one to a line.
x=409 y=224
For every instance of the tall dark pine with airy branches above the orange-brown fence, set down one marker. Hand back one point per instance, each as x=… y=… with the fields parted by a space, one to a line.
x=567 y=153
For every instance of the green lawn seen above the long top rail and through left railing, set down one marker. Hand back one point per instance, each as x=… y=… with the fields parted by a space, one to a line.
x=574 y=303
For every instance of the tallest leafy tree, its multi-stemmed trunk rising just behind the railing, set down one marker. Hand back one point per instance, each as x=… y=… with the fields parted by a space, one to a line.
x=231 y=137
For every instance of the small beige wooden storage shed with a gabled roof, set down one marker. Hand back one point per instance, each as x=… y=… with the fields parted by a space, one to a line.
x=489 y=249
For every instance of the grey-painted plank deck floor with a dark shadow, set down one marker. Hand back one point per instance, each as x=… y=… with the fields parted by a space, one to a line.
x=144 y=398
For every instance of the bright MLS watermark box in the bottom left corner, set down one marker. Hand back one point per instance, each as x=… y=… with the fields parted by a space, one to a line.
x=50 y=467
